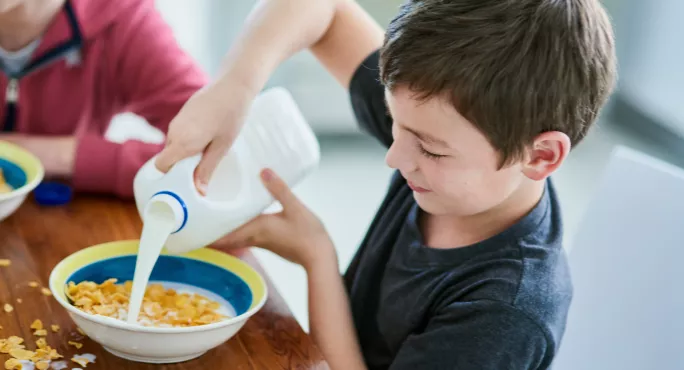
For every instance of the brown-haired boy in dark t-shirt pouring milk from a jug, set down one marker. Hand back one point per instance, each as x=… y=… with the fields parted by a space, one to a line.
x=479 y=101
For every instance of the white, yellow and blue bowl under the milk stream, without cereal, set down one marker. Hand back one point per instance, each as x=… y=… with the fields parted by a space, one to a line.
x=222 y=278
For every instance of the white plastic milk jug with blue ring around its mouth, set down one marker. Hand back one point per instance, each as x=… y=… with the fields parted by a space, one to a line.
x=275 y=135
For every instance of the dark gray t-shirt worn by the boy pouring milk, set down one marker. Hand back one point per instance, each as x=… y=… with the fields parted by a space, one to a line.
x=498 y=304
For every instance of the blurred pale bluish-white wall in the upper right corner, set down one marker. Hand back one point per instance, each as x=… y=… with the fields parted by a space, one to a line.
x=651 y=57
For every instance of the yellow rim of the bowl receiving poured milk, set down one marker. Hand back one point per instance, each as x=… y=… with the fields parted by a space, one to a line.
x=122 y=325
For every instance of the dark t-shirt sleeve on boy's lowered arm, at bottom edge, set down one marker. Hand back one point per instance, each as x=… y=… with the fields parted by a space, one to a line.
x=477 y=335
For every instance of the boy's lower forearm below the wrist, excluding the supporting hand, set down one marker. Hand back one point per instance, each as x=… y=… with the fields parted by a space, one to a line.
x=330 y=319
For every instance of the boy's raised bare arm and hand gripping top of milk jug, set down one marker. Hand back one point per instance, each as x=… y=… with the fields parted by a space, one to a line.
x=338 y=32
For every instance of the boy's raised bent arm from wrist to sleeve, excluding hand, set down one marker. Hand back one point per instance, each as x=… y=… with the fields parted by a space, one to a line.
x=338 y=32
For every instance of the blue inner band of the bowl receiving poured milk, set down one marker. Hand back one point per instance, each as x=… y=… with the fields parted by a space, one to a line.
x=173 y=269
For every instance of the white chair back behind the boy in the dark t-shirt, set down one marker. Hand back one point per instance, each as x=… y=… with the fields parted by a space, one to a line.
x=627 y=263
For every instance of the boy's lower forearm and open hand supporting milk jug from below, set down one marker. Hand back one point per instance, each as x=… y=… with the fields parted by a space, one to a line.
x=297 y=235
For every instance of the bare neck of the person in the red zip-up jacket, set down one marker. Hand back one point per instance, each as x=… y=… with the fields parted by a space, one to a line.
x=27 y=22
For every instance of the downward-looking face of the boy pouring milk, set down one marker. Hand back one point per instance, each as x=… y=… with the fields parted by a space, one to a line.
x=450 y=165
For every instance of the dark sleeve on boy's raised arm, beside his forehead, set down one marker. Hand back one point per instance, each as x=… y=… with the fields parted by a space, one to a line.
x=368 y=100
